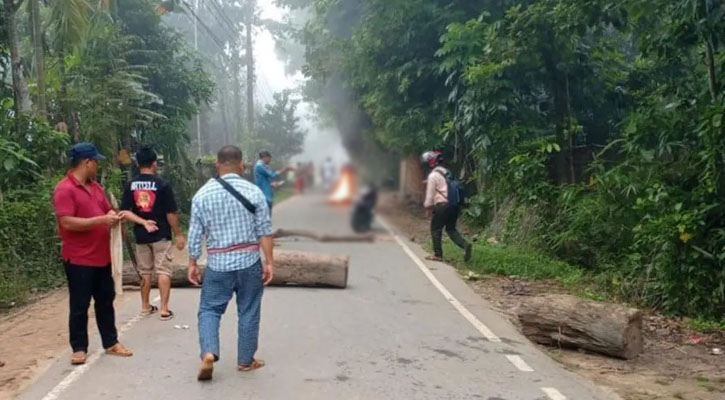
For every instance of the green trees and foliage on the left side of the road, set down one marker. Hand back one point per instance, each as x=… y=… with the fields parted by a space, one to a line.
x=115 y=76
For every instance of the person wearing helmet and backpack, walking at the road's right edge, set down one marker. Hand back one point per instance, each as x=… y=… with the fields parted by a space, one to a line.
x=441 y=206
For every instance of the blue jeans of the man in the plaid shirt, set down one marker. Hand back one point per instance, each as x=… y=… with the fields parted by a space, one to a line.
x=216 y=291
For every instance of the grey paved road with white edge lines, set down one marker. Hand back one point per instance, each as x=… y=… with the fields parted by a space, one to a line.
x=390 y=335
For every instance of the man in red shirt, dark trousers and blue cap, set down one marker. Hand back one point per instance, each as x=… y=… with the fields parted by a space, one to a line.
x=84 y=217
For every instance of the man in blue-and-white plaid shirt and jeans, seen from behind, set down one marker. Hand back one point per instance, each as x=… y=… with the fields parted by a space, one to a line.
x=234 y=236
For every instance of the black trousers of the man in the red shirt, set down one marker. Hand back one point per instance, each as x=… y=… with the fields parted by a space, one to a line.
x=85 y=283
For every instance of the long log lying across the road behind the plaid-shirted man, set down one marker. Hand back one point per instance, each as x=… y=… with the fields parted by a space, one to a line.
x=291 y=268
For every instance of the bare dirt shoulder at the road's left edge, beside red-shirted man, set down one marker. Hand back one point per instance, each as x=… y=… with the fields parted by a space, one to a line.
x=33 y=336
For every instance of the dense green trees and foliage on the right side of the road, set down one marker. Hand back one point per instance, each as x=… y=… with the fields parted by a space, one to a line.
x=600 y=117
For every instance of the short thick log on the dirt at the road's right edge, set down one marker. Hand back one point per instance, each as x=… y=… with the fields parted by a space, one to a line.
x=570 y=322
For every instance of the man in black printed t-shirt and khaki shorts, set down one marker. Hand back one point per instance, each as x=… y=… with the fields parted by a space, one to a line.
x=148 y=201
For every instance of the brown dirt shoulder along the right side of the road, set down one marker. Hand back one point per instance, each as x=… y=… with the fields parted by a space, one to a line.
x=676 y=363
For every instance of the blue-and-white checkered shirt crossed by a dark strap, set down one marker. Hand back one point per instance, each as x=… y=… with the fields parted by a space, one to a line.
x=222 y=221
